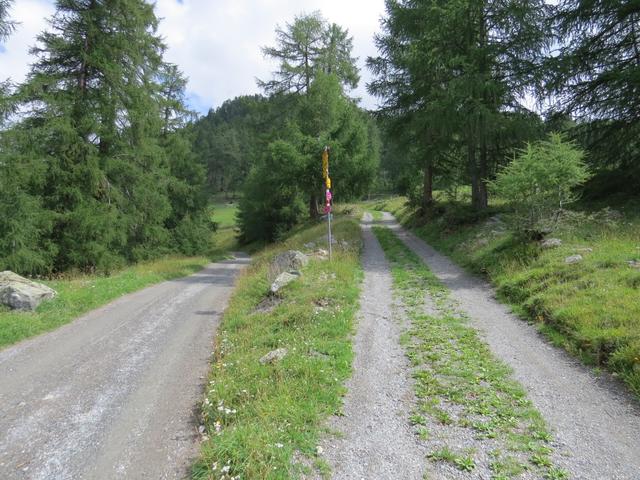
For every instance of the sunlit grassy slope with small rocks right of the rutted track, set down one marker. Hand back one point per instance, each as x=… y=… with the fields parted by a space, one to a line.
x=591 y=308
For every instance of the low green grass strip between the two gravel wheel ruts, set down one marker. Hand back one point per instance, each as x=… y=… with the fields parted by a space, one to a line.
x=474 y=414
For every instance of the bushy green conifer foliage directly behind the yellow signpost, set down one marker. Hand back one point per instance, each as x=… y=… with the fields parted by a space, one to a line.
x=289 y=176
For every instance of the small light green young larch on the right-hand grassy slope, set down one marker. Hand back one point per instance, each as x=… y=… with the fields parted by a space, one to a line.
x=540 y=182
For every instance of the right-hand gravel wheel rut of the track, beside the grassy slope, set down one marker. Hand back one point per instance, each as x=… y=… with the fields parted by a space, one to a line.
x=596 y=423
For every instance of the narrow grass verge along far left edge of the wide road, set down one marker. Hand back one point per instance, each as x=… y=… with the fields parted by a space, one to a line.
x=80 y=294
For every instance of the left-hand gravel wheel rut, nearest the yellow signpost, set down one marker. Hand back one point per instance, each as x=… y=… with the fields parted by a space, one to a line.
x=376 y=440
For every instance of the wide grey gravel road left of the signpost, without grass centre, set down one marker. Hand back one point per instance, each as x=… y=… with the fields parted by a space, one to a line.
x=112 y=395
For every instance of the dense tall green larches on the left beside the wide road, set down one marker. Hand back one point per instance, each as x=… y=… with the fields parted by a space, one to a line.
x=98 y=169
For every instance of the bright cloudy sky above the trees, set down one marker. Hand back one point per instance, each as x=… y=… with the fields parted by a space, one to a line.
x=216 y=43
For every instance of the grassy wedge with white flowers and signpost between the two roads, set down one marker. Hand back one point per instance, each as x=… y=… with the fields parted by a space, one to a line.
x=264 y=421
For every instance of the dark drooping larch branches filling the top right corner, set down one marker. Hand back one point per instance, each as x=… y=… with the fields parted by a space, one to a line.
x=595 y=77
